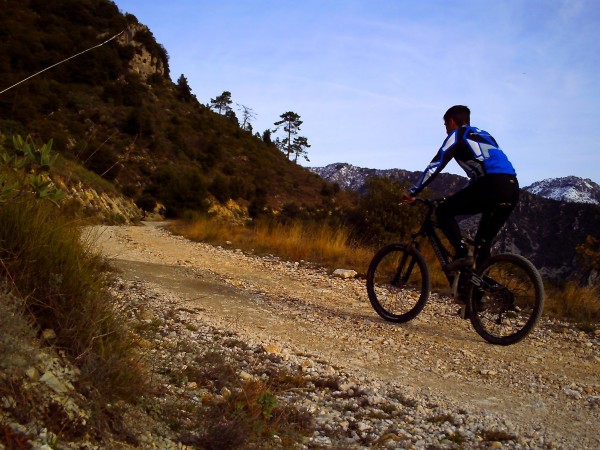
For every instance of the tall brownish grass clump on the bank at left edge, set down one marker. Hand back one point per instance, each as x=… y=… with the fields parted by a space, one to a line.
x=63 y=283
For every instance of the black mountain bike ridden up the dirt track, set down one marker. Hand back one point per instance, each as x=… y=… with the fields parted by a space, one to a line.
x=503 y=298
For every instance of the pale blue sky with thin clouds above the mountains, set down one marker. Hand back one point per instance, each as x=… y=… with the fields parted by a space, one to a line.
x=371 y=79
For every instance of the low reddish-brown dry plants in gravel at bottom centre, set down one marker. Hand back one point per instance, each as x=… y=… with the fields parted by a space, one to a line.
x=237 y=413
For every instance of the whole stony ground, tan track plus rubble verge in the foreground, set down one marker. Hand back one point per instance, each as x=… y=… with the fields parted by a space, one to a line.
x=361 y=382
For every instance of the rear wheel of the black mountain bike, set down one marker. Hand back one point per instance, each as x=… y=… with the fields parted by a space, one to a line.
x=509 y=302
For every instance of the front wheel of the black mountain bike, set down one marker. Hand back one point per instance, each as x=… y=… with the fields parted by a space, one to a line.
x=398 y=282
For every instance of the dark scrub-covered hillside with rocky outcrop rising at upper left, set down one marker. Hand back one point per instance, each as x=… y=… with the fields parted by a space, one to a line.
x=115 y=111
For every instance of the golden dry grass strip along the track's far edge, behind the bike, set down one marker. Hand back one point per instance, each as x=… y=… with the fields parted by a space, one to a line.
x=333 y=247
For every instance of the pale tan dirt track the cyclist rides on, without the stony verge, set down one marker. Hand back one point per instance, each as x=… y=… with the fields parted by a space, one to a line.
x=549 y=382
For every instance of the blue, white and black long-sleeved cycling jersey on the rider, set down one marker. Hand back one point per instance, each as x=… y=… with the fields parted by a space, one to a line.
x=475 y=150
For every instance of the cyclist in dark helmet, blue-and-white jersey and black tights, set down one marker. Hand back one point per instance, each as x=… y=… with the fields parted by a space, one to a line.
x=493 y=189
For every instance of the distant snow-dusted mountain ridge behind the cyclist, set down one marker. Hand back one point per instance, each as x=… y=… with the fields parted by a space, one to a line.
x=553 y=216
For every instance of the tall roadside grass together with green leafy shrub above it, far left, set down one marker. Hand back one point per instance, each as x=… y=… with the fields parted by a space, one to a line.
x=56 y=275
